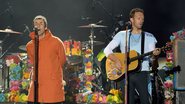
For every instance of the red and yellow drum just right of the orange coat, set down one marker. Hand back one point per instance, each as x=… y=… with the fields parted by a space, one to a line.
x=73 y=51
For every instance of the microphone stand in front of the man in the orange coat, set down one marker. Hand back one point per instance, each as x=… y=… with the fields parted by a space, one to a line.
x=36 y=51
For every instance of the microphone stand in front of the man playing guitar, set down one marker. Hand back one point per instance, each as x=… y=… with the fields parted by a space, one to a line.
x=126 y=63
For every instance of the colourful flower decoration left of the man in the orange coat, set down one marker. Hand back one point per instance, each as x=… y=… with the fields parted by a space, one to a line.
x=19 y=72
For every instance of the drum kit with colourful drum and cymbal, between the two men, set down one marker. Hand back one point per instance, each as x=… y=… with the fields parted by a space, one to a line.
x=76 y=52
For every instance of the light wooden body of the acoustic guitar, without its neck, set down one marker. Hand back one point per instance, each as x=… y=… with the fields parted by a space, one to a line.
x=113 y=73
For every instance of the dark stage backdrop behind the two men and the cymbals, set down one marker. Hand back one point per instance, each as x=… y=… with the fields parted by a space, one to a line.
x=162 y=18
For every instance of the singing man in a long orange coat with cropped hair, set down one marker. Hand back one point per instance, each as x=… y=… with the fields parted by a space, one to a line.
x=51 y=58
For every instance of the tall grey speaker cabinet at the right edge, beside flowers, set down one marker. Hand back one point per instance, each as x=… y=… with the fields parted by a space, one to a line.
x=179 y=59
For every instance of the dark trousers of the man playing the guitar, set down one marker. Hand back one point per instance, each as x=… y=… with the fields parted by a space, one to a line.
x=138 y=81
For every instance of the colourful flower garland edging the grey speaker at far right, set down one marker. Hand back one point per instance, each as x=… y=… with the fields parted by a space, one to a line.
x=168 y=84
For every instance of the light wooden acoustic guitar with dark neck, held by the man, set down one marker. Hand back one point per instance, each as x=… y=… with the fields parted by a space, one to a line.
x=114 y=73
